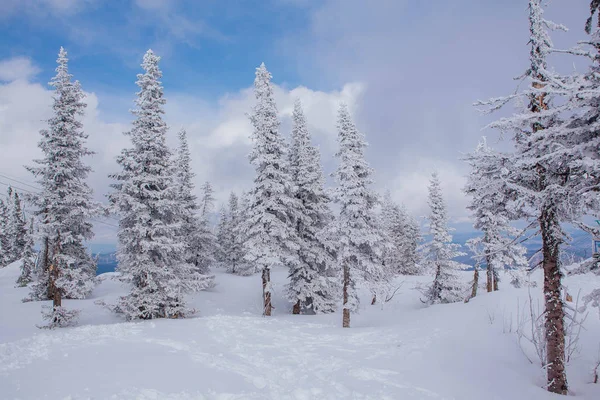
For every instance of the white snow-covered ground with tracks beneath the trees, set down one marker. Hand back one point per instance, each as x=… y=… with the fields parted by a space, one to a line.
x=401 y=350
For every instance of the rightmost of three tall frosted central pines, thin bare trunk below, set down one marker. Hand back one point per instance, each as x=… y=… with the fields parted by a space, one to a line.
x=357 y=231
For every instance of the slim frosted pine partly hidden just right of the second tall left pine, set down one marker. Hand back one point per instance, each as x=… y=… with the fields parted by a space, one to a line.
x=195 y=232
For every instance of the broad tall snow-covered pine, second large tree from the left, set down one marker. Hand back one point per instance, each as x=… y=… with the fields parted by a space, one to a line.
x=151 y=257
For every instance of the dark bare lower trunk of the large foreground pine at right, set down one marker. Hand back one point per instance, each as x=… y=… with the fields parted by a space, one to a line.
x=554 y=324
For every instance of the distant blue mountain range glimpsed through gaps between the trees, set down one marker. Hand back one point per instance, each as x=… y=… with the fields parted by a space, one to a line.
x=579 y=248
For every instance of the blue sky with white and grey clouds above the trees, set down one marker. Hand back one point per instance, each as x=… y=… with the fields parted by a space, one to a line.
x=410 y=71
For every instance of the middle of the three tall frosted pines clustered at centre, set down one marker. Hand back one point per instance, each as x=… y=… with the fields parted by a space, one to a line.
x=312 y=287
